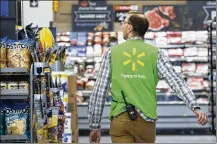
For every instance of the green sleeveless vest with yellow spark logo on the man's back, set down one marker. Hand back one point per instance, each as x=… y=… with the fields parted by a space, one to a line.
x=134 y=71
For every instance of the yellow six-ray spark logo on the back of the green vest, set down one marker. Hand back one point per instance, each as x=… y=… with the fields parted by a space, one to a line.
x=133 y=62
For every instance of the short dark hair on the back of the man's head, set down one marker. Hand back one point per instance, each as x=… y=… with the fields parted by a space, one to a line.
x=140 y=24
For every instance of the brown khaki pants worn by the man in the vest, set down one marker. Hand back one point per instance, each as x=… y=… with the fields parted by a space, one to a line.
x=124 y=130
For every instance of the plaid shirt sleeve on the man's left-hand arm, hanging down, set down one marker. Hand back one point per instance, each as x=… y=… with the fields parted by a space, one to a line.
x=97 y=98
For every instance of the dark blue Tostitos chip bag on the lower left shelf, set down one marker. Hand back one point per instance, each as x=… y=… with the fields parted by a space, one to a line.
x=17 y=118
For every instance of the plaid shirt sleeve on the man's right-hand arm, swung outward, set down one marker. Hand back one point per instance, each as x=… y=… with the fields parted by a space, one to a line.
x=167 y=72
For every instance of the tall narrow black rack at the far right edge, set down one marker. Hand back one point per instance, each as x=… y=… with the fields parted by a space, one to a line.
x=212 y=67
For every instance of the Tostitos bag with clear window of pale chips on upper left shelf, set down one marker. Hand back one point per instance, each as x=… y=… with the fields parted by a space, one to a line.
x=18 y=53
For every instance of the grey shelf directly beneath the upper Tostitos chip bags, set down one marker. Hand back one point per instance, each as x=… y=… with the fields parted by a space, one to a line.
x=14 y=71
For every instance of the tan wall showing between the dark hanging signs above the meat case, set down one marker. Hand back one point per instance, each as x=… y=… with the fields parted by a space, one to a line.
x=63 y=18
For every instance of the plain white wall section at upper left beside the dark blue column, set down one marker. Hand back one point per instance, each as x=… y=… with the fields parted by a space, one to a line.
x=41 y=15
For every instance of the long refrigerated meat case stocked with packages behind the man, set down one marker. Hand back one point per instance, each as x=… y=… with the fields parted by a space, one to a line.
x=84 y=55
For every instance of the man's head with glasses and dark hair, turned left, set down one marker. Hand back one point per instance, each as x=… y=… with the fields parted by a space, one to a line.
x=135 y=25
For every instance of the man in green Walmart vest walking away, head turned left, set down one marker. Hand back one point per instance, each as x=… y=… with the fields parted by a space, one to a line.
x=134 y=68
